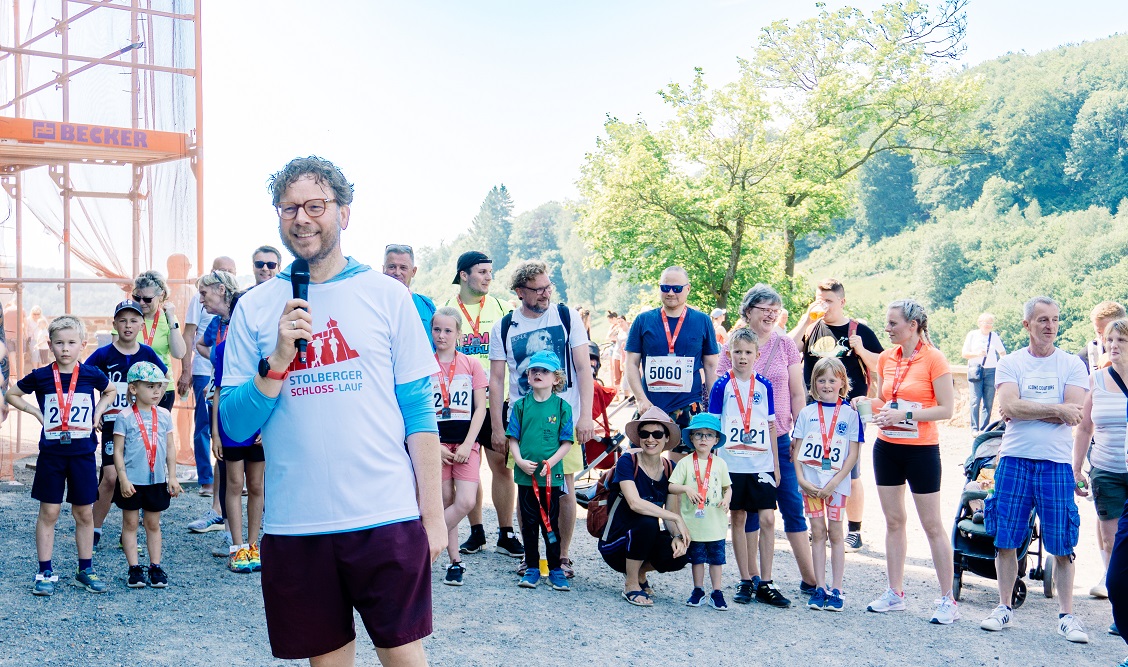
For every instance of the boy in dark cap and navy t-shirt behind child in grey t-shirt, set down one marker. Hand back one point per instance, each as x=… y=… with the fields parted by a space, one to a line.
x=116 y=361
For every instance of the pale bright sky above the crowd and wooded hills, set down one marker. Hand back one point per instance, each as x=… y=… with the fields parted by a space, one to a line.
x=426 y=106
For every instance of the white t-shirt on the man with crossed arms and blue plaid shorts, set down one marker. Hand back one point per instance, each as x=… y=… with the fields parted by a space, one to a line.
x=1041 y=380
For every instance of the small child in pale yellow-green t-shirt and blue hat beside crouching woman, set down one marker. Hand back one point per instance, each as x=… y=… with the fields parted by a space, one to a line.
x=706 y=490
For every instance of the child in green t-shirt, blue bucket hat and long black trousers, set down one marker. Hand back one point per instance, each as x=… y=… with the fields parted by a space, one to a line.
x=540 y=435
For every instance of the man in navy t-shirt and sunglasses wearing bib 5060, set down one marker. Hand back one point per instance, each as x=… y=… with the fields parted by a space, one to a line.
x=669 y=349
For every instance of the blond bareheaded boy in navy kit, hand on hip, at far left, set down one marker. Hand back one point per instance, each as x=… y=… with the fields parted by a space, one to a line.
x=66 y=408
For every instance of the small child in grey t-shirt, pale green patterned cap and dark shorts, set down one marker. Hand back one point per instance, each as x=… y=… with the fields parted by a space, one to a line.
x=143 y=435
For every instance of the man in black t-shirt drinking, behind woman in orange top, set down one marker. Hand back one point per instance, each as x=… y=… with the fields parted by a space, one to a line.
x=858 y=348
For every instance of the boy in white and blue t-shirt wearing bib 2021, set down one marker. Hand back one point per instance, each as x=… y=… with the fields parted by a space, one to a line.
x=745 y=403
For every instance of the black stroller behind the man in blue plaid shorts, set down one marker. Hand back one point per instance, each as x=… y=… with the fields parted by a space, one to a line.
x=974 y=549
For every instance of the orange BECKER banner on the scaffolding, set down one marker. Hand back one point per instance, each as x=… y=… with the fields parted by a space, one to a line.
x=28 y=130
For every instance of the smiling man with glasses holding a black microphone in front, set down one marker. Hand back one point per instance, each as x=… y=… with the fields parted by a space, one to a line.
x=354 y=517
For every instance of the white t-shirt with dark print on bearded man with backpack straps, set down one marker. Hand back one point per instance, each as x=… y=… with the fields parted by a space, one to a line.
x=528 y=337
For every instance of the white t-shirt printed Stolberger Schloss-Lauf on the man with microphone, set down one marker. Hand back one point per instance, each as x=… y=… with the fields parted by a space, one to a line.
x=334 y=444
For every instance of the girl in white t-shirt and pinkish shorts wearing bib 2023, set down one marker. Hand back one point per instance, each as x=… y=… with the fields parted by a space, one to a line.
x=825 y=450
